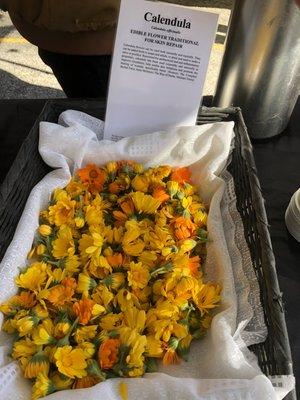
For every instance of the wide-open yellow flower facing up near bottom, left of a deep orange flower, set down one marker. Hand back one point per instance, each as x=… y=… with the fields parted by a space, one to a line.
x=71 y=362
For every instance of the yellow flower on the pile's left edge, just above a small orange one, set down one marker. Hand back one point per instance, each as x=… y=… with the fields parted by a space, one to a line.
x=34 y=277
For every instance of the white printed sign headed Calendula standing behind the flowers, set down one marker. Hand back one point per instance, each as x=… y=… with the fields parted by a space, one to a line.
x=159 y=65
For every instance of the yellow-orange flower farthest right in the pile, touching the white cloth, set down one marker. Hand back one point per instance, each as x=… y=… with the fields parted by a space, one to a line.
x=207 y=297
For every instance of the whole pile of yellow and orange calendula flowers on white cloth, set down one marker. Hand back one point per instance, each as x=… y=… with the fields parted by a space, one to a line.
x=114 y=280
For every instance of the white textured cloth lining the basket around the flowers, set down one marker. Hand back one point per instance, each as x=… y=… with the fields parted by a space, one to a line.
x=220 y=366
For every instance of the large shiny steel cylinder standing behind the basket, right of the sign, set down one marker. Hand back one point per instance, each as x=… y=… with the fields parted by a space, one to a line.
x=261 y=66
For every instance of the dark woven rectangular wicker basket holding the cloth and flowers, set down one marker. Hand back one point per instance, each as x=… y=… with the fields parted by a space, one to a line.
x=274 y=354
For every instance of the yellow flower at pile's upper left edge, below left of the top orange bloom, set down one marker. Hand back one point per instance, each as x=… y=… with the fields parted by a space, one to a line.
x=62 y=213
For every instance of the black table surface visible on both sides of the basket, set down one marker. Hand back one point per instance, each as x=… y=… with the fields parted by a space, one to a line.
x=278 y=165
